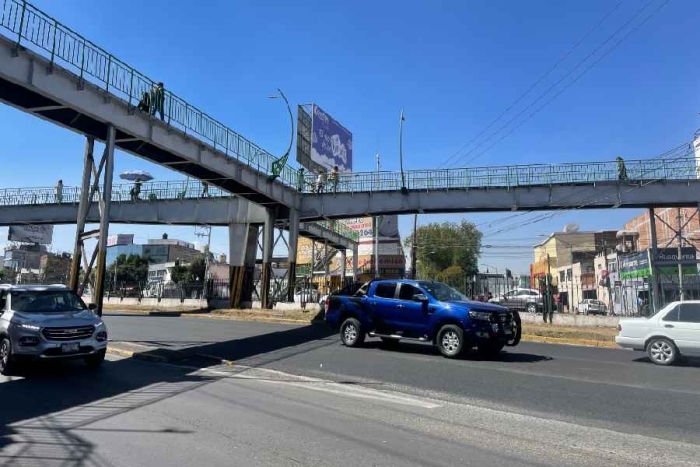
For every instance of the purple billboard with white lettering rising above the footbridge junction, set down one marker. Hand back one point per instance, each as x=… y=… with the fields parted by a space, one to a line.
x=331 y=143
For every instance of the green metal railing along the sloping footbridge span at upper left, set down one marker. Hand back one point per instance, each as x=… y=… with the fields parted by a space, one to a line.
x=32 y=28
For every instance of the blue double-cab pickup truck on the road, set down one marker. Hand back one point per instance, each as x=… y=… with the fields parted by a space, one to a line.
x=426 y=311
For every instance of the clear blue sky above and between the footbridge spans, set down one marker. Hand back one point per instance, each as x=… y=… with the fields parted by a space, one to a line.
x=453 y=66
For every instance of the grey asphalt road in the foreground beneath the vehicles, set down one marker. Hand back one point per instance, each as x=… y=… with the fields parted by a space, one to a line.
x=296 y=397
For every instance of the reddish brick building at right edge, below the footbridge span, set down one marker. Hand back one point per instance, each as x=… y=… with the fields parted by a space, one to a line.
x=664 y=234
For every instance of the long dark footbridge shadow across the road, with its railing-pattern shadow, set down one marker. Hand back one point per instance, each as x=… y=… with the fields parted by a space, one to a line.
x=44 y=404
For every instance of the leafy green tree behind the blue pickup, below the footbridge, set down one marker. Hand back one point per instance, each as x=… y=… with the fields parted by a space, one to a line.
x=443 y=247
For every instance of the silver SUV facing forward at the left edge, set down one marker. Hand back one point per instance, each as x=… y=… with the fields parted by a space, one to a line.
x=42 y=322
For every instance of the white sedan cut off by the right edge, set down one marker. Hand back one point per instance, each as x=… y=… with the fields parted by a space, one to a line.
x=665 y=336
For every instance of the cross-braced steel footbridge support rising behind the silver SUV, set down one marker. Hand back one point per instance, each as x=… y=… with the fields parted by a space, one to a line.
x=91 y=185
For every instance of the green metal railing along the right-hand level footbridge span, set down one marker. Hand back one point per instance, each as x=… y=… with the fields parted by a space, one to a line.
x=679 y=168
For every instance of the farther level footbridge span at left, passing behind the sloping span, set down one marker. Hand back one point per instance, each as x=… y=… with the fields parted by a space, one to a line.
x=173 y=203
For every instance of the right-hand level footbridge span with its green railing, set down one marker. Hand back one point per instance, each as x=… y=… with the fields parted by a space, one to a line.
x=670 y=181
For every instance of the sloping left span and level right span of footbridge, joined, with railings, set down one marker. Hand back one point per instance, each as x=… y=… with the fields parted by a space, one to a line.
x=48 y=70
